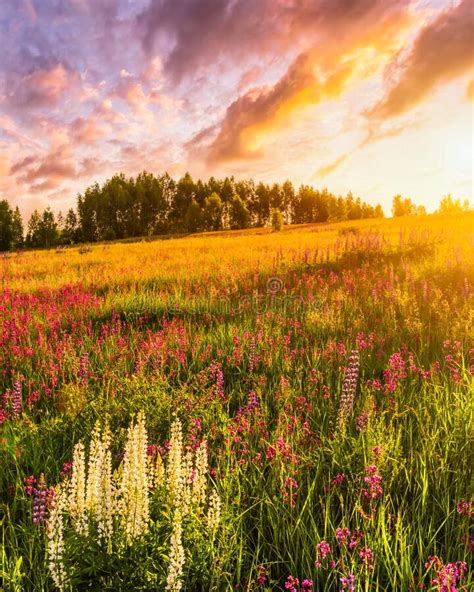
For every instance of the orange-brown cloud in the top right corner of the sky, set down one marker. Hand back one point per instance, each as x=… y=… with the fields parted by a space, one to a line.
x=442 y=51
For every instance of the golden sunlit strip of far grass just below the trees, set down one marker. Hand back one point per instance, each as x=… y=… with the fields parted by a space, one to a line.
x=219 y=256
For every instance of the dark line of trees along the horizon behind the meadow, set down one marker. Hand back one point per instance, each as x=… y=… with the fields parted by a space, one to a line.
x=149 y=205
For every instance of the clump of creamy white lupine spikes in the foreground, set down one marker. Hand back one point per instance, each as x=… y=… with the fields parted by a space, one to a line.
x=123 y=500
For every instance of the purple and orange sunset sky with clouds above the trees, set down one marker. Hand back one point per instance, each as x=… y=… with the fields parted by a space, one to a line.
x=369 y=96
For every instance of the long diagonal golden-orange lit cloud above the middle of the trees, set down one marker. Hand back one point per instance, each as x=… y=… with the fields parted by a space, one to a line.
x=317 y=75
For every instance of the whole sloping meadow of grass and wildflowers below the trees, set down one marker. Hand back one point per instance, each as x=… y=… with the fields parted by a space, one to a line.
x=241 y=411
